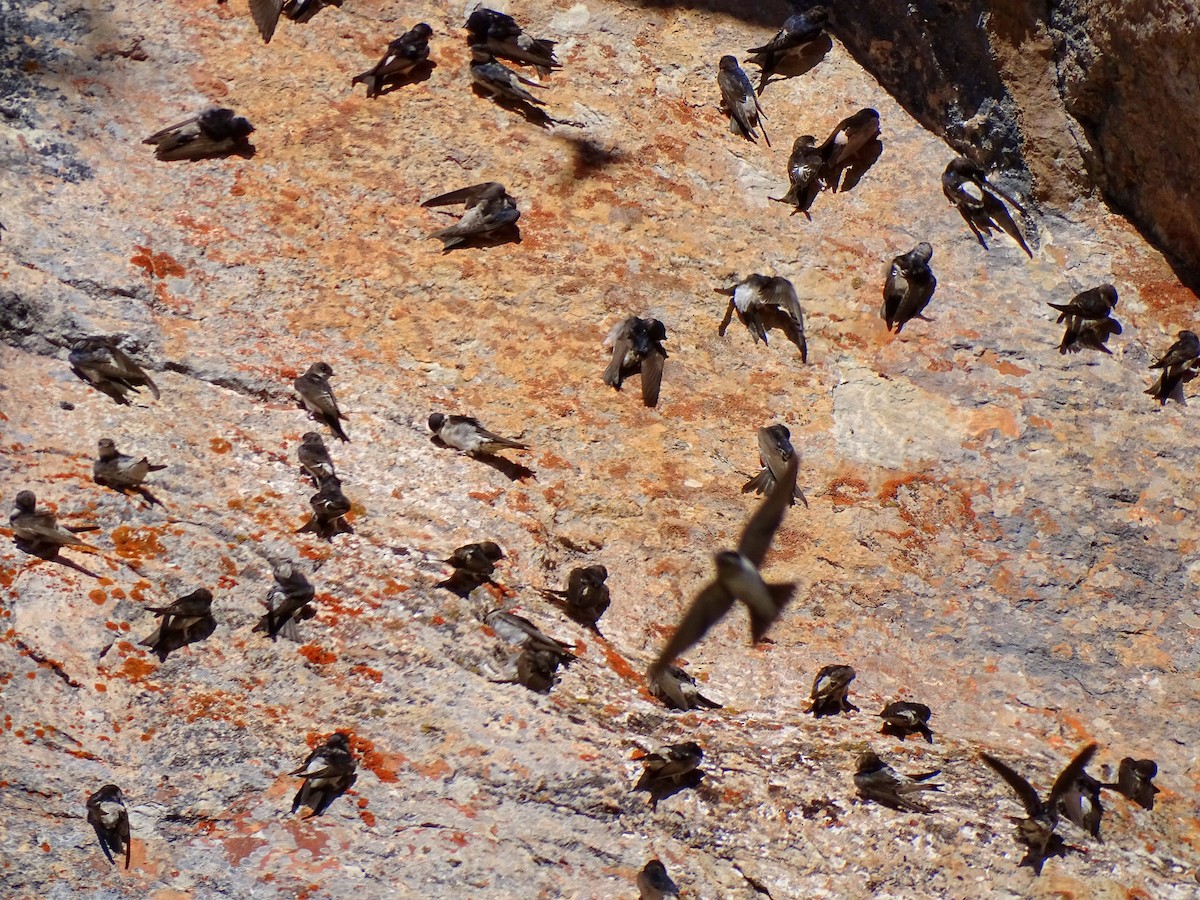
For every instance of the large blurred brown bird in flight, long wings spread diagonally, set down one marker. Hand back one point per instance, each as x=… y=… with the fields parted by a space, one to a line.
x=739 y=579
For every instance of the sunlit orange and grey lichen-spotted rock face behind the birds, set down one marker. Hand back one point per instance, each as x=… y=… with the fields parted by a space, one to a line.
x=998 y=531
